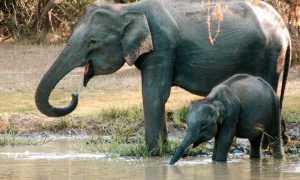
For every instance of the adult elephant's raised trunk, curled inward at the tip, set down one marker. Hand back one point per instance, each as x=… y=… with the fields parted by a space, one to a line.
x=64 y=64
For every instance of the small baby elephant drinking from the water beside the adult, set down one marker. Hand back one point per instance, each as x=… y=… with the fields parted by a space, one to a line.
x=243 y=106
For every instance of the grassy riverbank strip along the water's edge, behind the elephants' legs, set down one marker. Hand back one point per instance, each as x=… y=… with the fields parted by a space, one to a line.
x=120 y=132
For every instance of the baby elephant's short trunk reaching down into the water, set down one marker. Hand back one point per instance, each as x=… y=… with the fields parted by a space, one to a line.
x=188 y=140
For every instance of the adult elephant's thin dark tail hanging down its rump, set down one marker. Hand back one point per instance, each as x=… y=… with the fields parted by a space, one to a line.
x=286 y=67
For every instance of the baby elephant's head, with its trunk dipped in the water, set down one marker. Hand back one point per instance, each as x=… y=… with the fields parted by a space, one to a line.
x=202 y=119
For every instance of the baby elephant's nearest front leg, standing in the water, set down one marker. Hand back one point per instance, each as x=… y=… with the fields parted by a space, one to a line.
x=223 y=141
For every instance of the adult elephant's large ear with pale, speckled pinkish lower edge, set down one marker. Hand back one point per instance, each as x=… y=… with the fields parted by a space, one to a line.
x=136 y=38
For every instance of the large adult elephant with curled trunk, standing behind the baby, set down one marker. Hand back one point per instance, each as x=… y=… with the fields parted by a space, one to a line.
x=170 y=46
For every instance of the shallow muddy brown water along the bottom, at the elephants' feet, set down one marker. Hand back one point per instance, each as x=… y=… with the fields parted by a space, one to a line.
x=68 y=158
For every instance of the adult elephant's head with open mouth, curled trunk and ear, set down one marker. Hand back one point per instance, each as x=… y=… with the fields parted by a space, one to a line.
x=106 y=38
